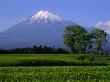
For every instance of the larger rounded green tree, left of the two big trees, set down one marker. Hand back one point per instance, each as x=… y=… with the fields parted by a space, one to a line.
x=76 y=38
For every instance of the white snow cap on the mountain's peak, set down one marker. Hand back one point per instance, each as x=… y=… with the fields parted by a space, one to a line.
x=45 y=15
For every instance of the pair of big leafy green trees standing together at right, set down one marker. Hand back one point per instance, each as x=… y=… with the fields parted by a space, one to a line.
x=79 y=40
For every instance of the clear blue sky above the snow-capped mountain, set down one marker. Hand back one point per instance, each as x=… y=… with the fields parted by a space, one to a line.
x=87 y=13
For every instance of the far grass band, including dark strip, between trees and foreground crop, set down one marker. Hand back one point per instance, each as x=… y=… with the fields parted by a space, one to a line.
x=54 y=60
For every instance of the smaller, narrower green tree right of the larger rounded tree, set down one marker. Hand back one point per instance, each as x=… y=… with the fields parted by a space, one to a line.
x=99 y=37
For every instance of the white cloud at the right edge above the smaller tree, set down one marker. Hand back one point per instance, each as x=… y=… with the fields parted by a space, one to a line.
x=104 y=25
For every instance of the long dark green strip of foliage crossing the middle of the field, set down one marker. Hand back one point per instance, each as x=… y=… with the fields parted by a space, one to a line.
x=52 y=63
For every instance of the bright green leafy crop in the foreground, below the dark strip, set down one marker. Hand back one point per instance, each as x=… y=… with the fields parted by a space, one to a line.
x=55 y=74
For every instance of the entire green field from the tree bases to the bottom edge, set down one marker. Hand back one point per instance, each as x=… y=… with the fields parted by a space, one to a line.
x=54 y=68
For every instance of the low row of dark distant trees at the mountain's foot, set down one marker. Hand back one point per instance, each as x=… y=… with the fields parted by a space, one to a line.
x=34 y=50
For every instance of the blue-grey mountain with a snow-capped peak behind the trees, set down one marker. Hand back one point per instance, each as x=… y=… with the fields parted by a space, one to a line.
x=43 y=28
